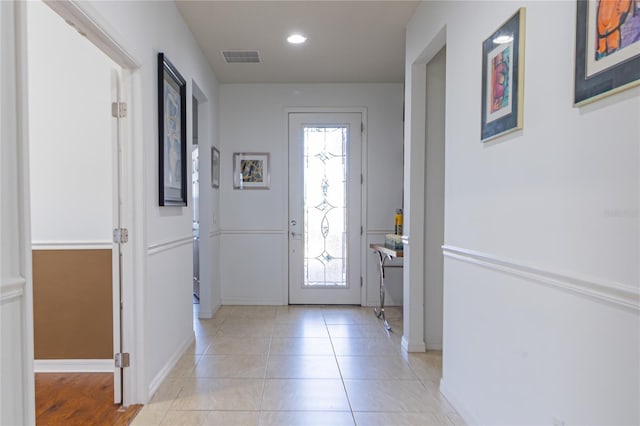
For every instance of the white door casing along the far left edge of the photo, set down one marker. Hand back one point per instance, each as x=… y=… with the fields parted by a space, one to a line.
x=17 y=394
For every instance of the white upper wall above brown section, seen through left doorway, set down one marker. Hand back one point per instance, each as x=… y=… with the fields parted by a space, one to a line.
x=70 y=137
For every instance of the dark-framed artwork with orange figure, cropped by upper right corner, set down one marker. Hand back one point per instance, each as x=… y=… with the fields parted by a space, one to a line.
x=607 y=48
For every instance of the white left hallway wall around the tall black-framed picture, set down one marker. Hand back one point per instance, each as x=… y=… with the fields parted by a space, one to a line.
x=144 y=29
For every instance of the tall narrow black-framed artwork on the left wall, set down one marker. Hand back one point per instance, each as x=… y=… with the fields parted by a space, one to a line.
x=172 y=131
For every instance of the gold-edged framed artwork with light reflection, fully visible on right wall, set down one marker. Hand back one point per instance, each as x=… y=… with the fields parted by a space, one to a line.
x=503 y=78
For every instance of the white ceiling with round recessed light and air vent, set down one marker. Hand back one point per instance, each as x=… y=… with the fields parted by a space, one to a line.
x=348 y=41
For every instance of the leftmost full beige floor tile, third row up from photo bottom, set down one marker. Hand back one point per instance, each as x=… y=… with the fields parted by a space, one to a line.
x=231 y=366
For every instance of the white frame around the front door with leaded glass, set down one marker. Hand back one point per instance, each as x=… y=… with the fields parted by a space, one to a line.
x=363 y=198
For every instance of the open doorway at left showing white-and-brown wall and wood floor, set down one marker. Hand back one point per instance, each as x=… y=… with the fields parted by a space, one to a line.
x=75 y=174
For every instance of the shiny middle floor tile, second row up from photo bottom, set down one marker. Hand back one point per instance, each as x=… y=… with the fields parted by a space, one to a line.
x=304 y=395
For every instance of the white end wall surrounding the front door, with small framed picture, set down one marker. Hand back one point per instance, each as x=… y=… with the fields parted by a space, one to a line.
x=254 y=223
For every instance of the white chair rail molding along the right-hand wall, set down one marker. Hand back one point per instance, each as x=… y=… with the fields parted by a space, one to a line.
x=618 y=294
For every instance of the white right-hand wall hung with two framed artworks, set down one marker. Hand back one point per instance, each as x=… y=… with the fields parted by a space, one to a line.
x=541 y=280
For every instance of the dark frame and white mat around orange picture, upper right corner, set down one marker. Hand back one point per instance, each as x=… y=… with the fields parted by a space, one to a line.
x=622 y=74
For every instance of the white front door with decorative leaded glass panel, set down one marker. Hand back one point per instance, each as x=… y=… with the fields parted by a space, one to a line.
x=325 y=184
